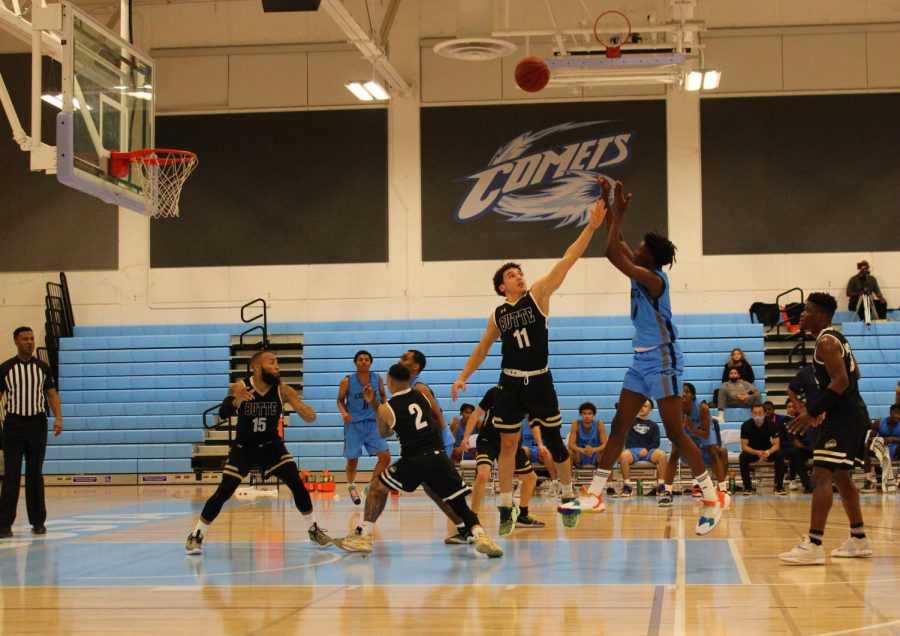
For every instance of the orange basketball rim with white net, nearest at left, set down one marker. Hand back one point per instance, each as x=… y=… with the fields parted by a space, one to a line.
x=163 y=173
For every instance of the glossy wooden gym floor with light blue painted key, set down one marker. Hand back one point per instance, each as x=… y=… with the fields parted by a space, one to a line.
x=113 y=562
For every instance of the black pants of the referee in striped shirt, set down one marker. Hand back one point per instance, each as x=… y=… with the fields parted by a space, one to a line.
x=23 y=437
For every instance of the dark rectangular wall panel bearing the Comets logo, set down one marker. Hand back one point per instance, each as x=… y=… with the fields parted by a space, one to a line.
x=519 y=181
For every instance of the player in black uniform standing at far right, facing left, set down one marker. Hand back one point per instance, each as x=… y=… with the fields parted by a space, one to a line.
x=841 y=435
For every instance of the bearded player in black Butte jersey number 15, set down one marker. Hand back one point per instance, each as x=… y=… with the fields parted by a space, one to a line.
x=259 y=408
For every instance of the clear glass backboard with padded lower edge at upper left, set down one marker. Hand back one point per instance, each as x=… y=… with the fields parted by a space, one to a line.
x=108 y=104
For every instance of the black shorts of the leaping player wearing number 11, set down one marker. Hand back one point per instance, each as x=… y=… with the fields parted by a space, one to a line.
x=517 y=396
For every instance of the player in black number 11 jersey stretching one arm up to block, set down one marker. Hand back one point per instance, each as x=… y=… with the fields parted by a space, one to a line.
x=526 y=385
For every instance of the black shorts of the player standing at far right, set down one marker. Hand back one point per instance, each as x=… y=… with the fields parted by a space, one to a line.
x=840 y=442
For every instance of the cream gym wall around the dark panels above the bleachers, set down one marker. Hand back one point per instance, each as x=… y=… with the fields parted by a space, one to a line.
x=229 y=56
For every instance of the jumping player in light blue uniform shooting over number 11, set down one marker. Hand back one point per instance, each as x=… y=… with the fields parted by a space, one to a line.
x=658 y=364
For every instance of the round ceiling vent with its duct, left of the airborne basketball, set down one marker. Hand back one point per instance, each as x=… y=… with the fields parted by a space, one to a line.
x=474 y=20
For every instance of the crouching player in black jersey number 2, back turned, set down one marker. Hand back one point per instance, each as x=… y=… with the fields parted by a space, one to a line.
x=422 y=459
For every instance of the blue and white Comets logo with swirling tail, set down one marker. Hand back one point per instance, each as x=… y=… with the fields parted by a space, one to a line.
x=526 y=182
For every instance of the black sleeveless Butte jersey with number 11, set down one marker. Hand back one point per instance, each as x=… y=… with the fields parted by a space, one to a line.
x=524 y=334
